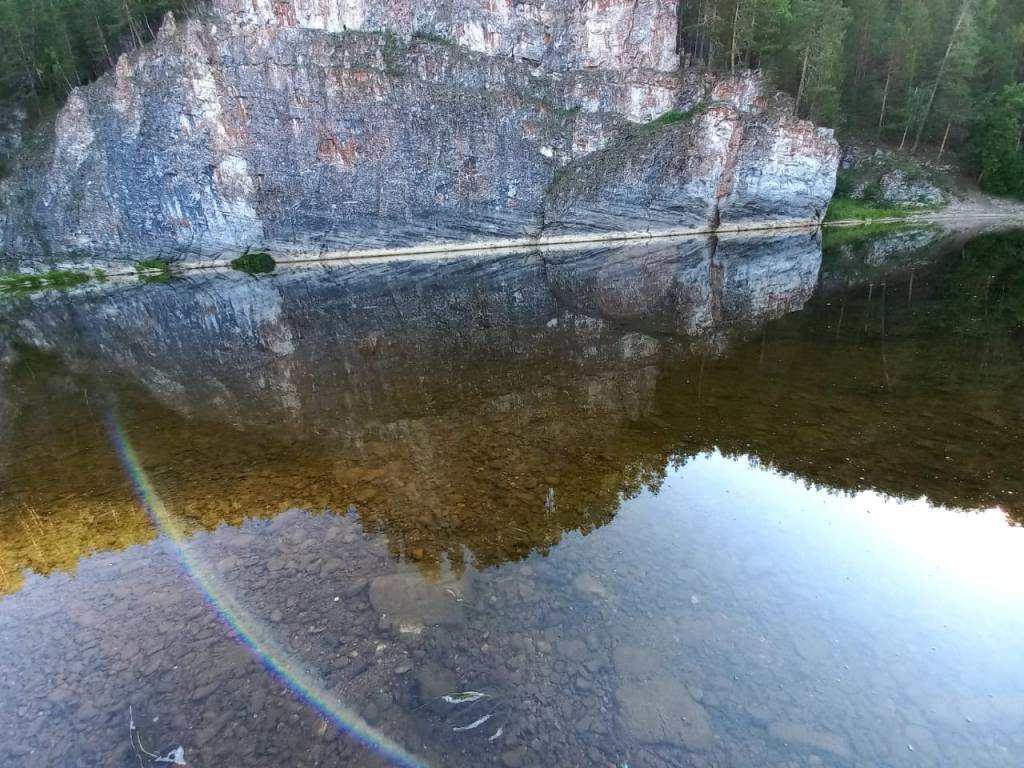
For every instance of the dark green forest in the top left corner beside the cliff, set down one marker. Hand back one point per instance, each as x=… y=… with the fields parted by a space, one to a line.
x=50 y=47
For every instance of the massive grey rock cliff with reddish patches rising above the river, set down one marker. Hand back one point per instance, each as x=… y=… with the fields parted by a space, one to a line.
x=348 y=125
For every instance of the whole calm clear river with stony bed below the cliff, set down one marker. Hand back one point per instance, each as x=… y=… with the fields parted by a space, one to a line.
x=681 y=503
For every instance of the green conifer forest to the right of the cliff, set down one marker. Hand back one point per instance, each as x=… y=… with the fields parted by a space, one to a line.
x=912 y=73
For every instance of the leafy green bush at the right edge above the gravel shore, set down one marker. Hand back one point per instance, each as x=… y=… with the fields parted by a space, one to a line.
x=997 y=142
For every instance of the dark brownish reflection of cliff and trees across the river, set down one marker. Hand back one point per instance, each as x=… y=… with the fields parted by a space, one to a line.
x=487 y=406
